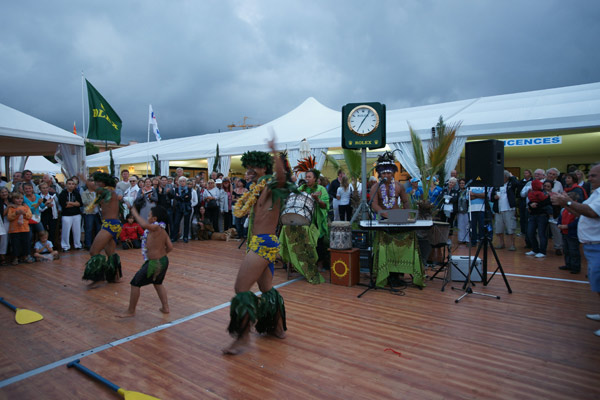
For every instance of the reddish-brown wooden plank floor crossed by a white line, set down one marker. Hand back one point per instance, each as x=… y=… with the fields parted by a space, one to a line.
x=532 y=344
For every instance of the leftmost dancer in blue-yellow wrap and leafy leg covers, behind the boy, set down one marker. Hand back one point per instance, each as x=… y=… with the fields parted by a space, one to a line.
x=98 y=267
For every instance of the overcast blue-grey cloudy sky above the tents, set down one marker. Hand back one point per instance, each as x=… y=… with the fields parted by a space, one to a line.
x=206 y=64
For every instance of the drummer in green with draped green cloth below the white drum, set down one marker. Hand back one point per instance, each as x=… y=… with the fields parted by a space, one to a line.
x=305 y=247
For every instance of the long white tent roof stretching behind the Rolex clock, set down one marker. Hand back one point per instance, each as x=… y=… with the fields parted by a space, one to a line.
x=573 y=108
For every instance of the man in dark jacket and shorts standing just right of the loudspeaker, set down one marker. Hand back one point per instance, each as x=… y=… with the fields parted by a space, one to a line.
x=505 y=203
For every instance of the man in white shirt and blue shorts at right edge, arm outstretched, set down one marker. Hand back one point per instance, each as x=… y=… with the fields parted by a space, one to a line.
x=588 y=229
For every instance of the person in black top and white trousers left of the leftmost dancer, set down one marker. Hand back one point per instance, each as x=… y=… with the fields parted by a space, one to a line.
x=70 y=203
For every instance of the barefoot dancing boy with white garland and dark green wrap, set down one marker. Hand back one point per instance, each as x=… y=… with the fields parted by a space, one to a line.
x=155 y=246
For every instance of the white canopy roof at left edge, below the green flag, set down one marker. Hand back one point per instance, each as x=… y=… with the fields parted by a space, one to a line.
x=23 y=135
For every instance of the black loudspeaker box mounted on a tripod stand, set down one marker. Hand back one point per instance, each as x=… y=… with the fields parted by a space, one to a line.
x=485 y=163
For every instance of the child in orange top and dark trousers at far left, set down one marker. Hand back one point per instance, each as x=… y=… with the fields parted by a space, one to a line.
x=18 y=230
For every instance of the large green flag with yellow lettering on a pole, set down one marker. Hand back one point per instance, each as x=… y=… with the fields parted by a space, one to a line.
x=105 y=124
